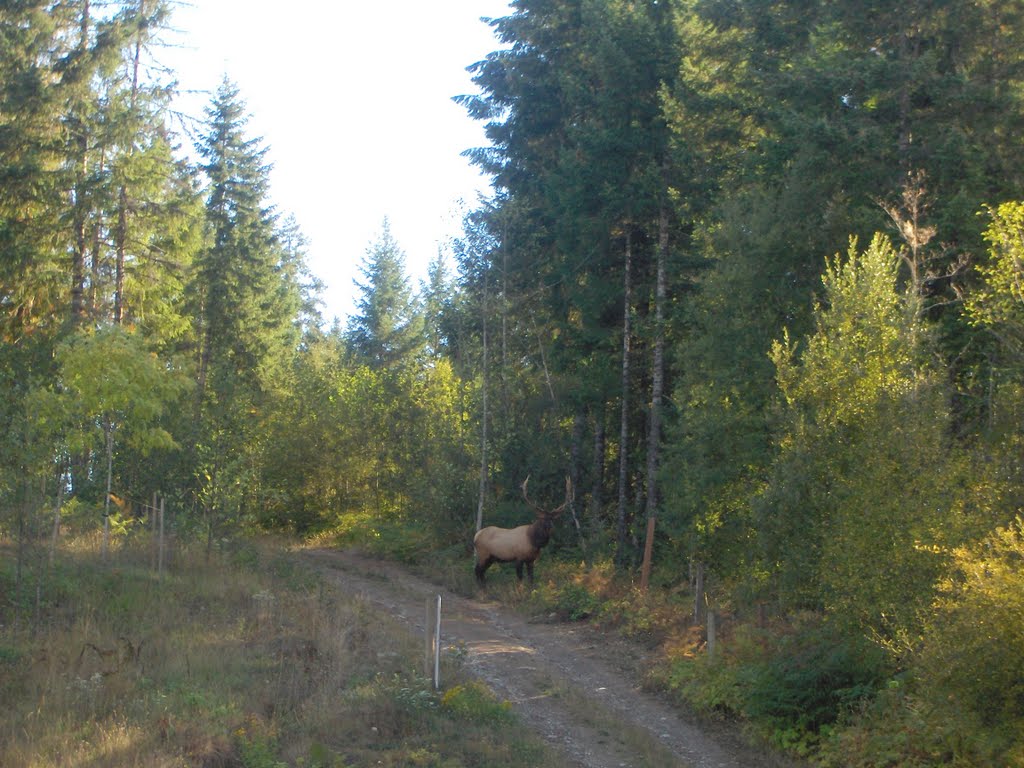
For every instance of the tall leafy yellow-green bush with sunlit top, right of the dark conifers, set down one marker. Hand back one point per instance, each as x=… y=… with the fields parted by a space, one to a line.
x=860 y=504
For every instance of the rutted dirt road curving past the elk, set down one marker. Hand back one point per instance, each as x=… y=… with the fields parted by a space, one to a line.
x=574 y=685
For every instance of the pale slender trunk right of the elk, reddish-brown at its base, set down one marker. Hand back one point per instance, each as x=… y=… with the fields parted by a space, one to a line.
x=657 y=394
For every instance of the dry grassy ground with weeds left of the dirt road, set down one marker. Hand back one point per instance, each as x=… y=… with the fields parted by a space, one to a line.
x=245 y=661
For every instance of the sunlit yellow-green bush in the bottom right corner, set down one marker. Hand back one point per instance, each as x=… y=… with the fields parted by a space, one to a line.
x=961 y=703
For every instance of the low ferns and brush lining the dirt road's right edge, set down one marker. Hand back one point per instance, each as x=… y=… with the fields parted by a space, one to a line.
x=800 y=685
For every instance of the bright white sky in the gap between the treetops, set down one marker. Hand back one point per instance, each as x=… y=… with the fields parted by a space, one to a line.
x=355 y=102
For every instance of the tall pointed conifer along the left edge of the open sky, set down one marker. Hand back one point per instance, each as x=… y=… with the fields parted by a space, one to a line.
x=247 y=304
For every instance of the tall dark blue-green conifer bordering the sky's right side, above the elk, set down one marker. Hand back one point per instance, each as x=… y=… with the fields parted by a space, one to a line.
x=580 y=153
